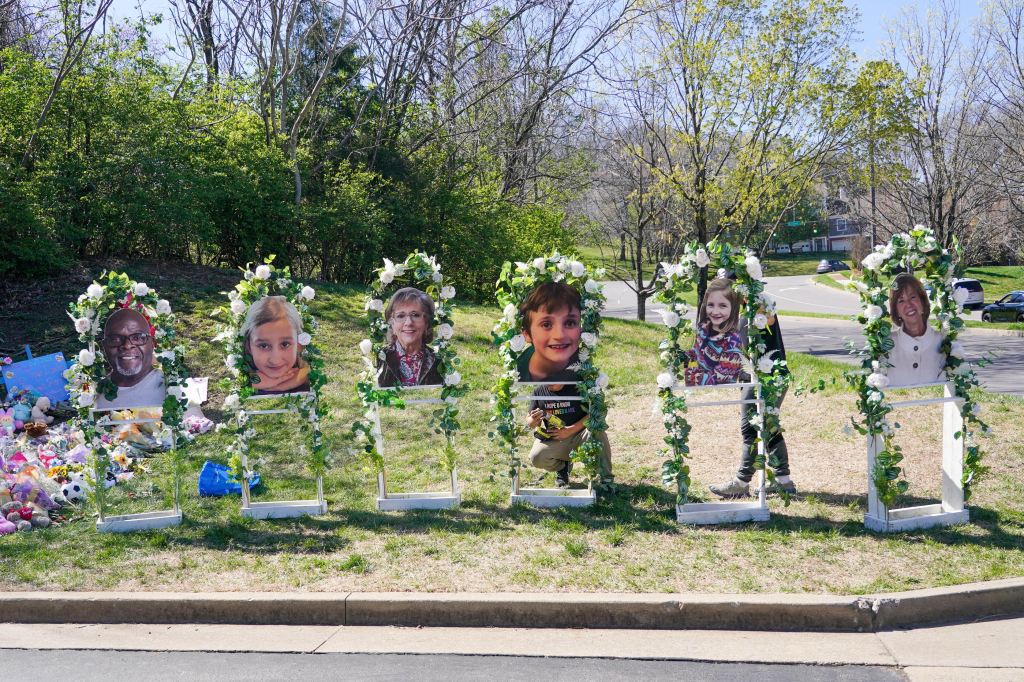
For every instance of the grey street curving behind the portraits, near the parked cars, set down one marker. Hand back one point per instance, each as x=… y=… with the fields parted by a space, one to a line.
x=827 y=338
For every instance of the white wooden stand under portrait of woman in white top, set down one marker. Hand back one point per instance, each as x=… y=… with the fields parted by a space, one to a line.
x=951 y=511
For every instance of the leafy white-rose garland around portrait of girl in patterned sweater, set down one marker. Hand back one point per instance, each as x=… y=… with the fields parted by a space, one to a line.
x=674 y=282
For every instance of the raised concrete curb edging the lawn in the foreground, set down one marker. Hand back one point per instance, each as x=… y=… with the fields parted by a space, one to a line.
x=669 y=612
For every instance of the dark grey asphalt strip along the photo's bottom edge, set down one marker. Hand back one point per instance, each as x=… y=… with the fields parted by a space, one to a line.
x=106 y=666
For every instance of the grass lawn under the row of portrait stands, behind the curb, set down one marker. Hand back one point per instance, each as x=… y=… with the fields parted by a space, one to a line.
x=629 y=543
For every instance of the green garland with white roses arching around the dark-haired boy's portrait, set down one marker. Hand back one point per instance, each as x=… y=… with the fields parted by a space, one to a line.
x=515 y=285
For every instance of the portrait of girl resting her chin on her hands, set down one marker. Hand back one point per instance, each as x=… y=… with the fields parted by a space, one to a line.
x=274 y=354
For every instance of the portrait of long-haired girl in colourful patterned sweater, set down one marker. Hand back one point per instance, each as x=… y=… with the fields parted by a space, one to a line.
x=717 y=356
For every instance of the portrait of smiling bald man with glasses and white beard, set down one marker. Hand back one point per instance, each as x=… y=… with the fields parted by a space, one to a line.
x=129 y=347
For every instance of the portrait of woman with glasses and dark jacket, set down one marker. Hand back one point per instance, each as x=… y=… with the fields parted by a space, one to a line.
x=409 y=360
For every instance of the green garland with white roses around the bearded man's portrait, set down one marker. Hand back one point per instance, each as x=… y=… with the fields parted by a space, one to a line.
x=89 y=378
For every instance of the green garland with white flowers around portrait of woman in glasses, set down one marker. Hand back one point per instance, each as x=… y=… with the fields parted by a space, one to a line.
x=422 y=272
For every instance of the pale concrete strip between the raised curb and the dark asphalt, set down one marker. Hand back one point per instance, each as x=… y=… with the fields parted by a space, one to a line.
x=985 y=651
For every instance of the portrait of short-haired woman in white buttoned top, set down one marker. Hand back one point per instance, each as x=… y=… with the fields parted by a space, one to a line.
x=917 y=358
